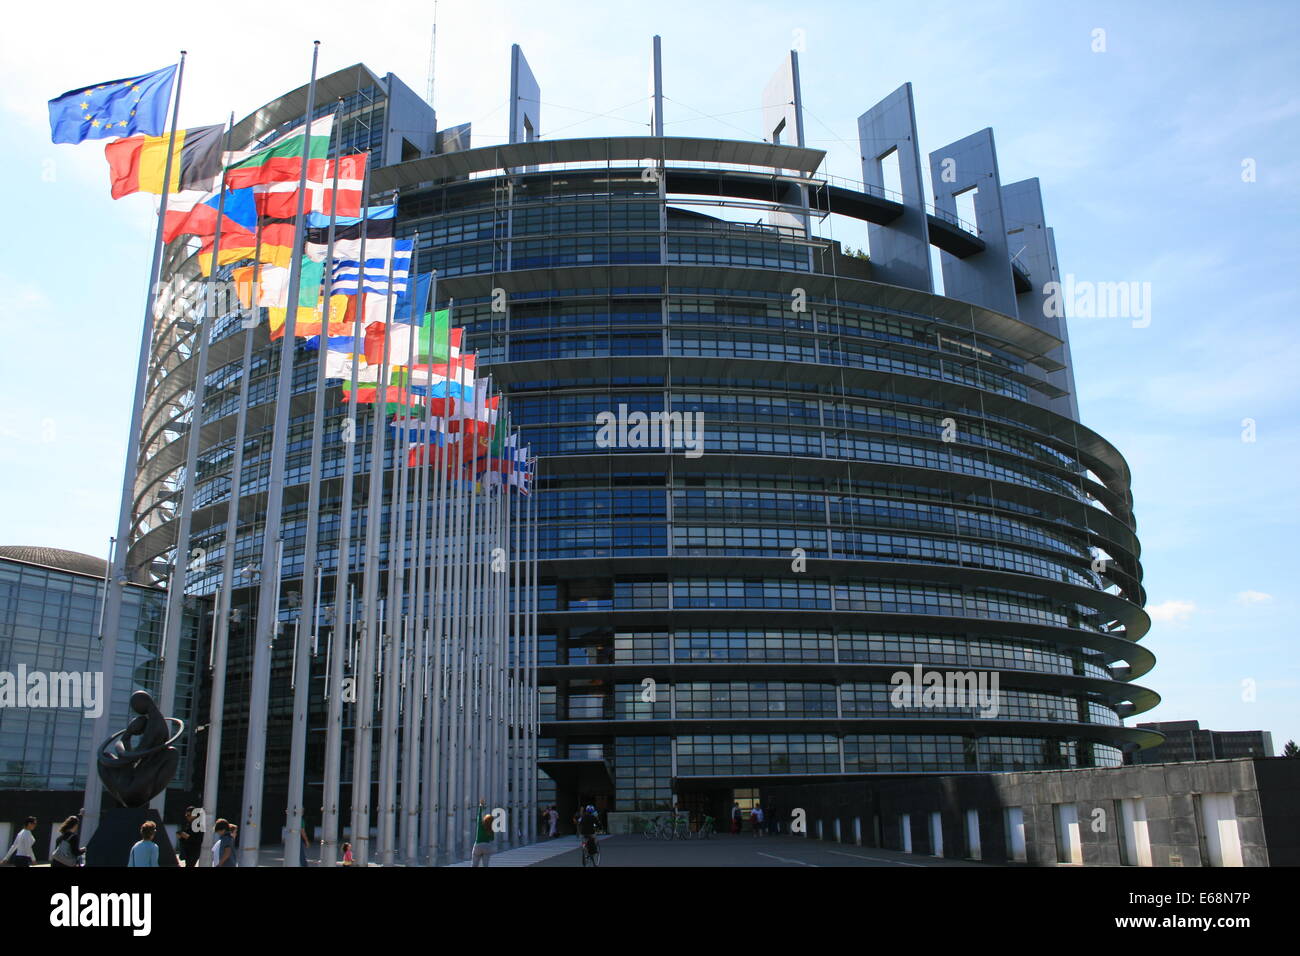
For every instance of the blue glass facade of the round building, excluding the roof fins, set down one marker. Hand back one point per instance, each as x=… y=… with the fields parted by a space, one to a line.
x=881 y=486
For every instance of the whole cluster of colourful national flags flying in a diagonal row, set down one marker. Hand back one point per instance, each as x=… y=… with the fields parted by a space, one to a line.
x=444 y=414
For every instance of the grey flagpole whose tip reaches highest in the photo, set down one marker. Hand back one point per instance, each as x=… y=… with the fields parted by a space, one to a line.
x=268 y=599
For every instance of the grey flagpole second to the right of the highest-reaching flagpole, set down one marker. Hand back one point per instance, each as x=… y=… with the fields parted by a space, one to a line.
x=343 y=574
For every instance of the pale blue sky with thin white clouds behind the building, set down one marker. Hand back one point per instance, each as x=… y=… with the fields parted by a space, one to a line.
x=1139 y=150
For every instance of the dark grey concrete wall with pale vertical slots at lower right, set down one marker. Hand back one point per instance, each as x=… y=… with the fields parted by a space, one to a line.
x=1266 y=795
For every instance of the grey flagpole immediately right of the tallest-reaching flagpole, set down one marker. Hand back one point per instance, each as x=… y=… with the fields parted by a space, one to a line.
x=311 y=560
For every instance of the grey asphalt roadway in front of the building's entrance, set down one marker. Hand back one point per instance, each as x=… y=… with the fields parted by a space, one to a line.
x=744 y=850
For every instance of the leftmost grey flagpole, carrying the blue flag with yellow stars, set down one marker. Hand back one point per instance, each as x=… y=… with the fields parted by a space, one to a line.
x=119 y=573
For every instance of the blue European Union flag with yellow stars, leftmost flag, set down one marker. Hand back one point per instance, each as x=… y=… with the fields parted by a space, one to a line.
x=116 y=109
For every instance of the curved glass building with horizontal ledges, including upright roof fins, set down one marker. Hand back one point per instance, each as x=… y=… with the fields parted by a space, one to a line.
x=863 y=477
